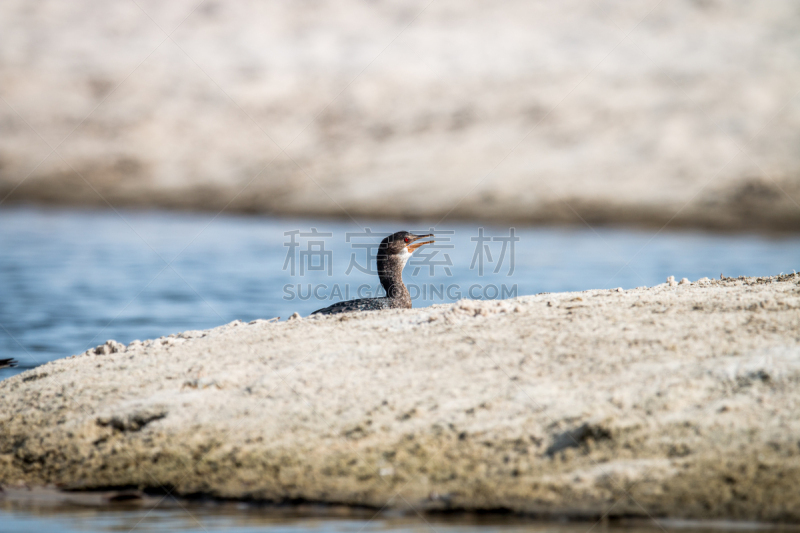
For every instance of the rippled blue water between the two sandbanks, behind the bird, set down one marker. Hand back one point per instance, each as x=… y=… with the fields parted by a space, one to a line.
x=71 y=279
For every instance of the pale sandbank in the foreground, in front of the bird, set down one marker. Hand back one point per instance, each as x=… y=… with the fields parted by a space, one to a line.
x=679 y=400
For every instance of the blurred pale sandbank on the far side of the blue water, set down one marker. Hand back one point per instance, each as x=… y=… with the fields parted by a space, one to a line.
x=612 y=111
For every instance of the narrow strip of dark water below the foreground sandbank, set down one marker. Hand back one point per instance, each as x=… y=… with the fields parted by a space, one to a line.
x=190 y=518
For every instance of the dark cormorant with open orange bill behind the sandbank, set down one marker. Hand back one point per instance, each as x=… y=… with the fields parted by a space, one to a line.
x=393 y=253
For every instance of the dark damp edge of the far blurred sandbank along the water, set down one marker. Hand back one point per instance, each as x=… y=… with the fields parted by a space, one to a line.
x=727 y=220
